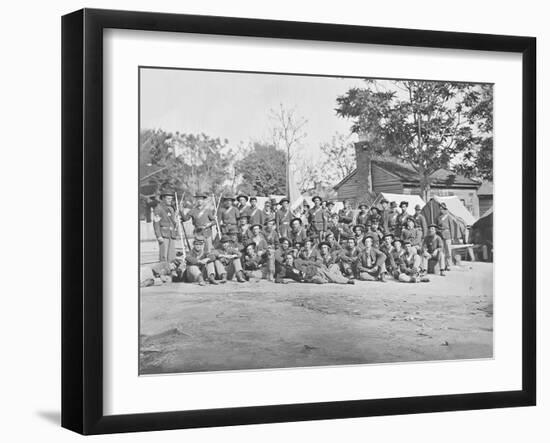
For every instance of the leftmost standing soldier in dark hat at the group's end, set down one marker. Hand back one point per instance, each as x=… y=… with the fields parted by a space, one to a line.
x=165 y=224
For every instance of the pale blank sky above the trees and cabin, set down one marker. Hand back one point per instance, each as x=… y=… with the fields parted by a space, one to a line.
x=236 y=106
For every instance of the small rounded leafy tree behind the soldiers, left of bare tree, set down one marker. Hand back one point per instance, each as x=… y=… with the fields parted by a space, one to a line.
x=263 y=170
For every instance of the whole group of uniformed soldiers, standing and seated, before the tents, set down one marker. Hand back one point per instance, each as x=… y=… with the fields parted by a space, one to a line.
x=311 y=245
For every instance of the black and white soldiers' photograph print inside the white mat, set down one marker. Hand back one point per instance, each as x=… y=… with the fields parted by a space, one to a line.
x=291 y=221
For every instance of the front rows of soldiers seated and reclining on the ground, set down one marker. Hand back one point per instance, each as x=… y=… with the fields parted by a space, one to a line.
x=362 y=257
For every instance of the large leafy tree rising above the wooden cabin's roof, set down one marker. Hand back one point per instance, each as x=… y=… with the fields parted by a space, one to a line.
x=425 y=124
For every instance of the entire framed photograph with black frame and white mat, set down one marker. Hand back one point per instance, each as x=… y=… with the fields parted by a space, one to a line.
x=269 y=221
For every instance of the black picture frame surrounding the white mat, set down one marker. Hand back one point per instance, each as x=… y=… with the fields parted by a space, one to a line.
x=82 y=220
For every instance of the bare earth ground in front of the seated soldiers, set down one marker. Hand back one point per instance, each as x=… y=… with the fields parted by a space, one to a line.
x=187 y=328
